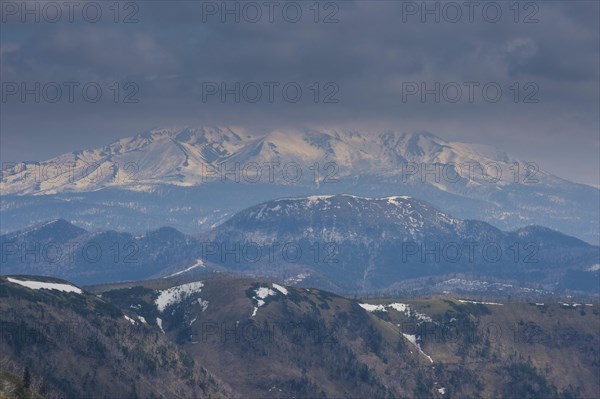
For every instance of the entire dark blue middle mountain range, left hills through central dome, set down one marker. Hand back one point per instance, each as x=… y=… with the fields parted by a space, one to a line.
x=342 y=243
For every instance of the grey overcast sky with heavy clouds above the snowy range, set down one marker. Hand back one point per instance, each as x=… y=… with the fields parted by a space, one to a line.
x=369 y=59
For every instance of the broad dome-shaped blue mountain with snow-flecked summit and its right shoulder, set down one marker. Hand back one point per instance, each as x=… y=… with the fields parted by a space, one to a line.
x=358 y=244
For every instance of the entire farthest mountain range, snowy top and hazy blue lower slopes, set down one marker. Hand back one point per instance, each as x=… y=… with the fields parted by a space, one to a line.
x=193 y=178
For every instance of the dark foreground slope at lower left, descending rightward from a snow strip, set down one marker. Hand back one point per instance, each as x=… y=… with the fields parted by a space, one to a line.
x=78 y=345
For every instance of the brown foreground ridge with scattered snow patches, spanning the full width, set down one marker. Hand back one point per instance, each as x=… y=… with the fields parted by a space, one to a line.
x=224 y=336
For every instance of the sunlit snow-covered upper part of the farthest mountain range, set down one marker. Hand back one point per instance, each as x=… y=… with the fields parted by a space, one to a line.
x=193 y=156
